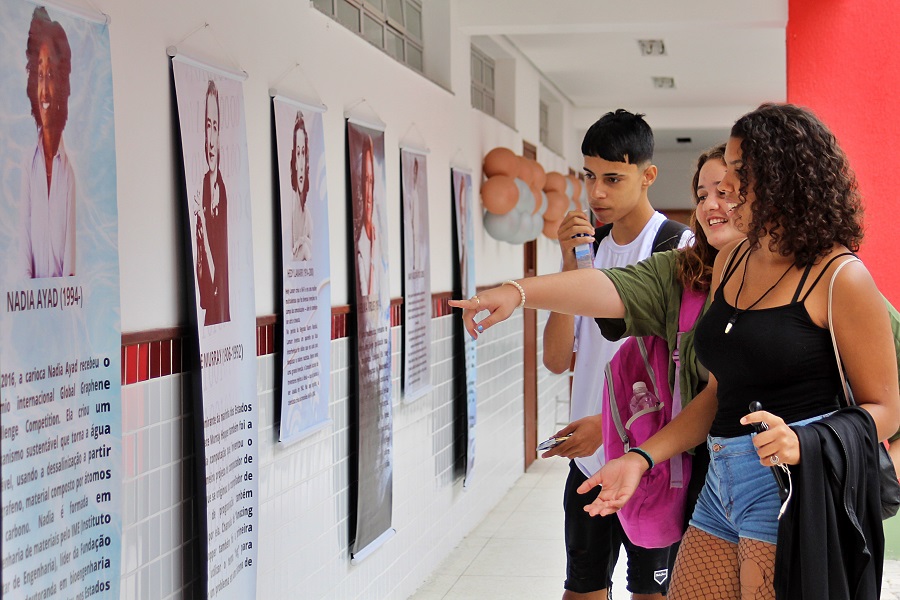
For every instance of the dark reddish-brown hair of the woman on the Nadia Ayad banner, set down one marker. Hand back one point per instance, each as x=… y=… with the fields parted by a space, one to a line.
x=45 y=31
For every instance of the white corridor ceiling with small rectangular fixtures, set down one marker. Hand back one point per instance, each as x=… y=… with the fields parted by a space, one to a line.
x=725 y=56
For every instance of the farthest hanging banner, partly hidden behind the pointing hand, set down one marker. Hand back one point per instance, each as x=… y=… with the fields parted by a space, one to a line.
x=465 y=243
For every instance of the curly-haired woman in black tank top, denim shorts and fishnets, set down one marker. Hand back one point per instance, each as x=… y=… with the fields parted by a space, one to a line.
x=765 y=338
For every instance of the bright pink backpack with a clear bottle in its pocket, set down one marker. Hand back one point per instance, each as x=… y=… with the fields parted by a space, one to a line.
x=654 y=516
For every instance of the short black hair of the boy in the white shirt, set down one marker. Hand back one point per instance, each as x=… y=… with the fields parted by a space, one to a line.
x=619 y=136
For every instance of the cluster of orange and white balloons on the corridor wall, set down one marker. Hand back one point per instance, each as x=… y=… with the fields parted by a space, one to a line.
x=521 y=200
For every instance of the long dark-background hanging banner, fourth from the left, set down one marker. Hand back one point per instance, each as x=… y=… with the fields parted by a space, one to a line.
x=374 y=456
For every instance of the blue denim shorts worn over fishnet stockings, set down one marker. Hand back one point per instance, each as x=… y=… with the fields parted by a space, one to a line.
x=740 y=497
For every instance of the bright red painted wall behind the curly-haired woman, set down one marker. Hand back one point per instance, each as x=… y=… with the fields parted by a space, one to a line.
x=843 y=62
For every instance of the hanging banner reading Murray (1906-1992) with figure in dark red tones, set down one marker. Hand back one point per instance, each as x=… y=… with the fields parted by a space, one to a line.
x=217 y=181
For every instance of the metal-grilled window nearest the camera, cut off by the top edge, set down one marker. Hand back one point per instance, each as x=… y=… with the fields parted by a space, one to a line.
x=395 y=26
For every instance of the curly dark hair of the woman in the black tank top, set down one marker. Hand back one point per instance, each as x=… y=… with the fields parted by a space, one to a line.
x=806 y=194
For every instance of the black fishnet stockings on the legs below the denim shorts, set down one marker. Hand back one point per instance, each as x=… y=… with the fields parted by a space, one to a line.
x=710 y=567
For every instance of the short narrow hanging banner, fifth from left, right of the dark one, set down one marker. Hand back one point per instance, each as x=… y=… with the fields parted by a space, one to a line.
x=416 y=277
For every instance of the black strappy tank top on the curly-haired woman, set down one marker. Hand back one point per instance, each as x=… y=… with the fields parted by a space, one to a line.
x=776 y=355
